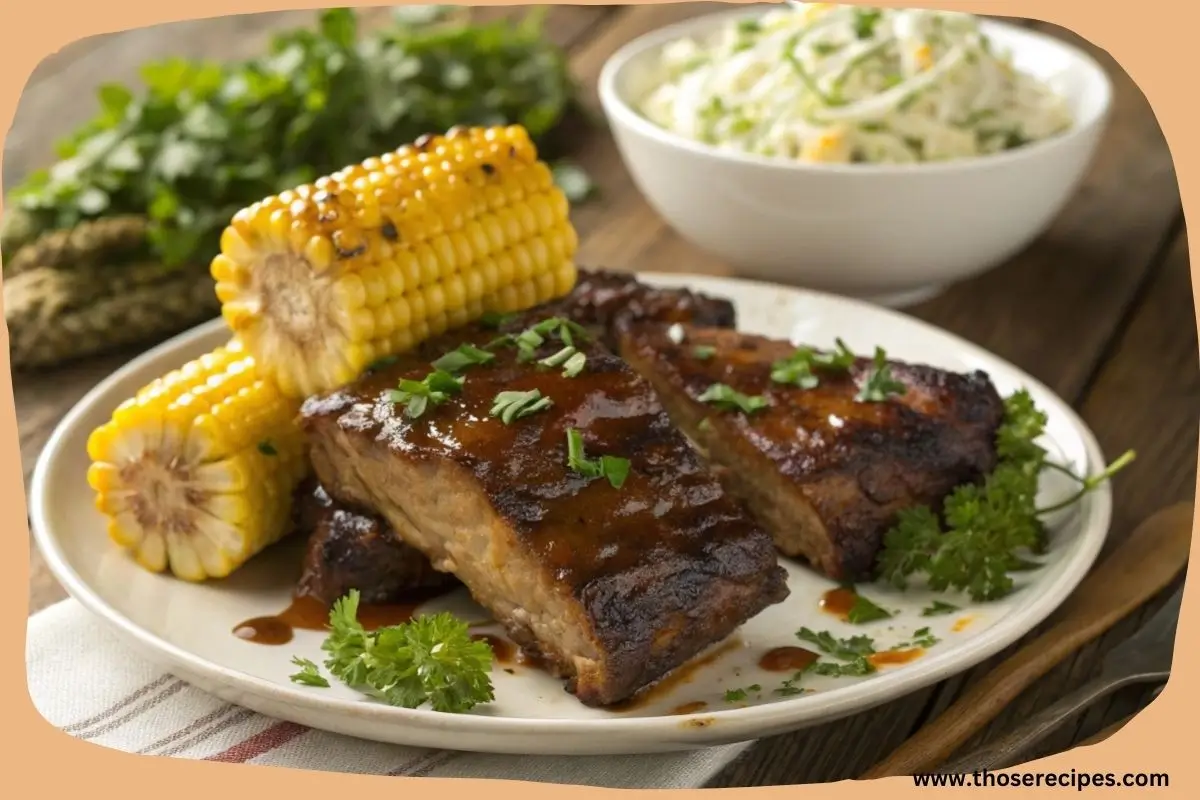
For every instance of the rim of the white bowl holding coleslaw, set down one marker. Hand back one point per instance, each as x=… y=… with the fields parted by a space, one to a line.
x=621 y=112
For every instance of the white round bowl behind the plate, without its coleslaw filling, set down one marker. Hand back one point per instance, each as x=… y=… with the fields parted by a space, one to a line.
x=889 y=233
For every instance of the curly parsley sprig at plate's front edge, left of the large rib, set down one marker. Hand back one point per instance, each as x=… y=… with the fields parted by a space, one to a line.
x=431 y=659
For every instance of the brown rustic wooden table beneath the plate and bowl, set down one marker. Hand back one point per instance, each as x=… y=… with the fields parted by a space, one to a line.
x=1100 y=310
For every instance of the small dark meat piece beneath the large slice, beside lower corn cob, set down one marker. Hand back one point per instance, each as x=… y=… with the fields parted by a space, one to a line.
x=353 y=550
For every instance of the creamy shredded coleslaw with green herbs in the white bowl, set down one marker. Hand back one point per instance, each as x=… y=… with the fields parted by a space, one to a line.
x=842 y=85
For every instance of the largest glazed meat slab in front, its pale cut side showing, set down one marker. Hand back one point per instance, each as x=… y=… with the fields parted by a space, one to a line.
x=611 y=587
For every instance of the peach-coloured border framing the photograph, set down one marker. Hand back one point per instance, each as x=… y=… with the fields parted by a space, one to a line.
x=44 y=762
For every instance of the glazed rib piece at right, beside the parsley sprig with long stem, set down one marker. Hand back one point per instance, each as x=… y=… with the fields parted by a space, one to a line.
x=826 y=474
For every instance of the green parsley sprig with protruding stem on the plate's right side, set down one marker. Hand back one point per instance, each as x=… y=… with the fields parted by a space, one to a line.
x=985 y=528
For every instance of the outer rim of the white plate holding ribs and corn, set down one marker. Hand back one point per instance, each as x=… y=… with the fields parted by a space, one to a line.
x=681 y=732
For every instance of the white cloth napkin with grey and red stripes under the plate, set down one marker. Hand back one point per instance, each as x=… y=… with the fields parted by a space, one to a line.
x=85 y=682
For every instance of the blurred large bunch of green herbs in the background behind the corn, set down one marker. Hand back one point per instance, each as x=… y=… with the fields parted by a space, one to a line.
x=206 y=140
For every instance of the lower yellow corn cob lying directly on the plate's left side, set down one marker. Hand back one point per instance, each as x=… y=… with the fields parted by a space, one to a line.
x=196 y=472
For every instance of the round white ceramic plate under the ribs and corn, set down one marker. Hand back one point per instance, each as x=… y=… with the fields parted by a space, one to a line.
x=189 y=628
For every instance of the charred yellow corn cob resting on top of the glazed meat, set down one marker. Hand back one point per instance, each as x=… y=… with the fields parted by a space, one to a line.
x=323 y=280
